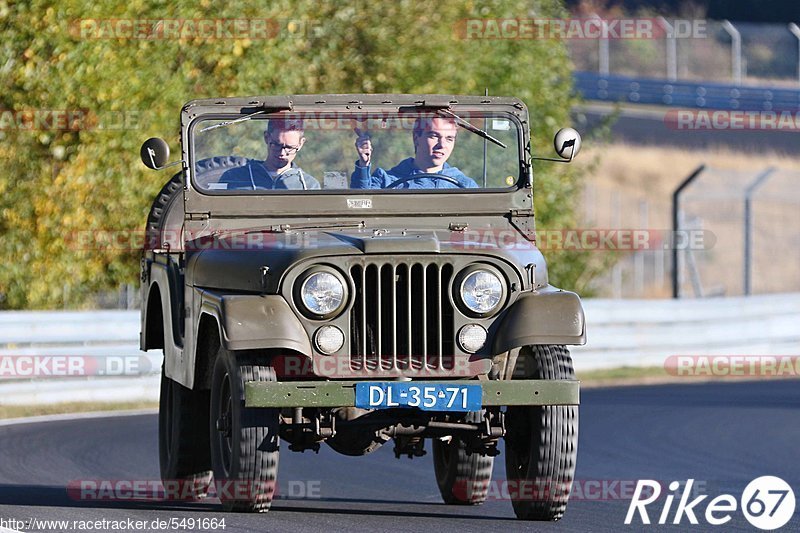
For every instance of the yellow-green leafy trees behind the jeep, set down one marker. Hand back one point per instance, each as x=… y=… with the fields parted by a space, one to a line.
x=62 y=181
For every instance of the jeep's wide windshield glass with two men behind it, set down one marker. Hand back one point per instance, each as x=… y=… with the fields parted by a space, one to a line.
x=391 y=152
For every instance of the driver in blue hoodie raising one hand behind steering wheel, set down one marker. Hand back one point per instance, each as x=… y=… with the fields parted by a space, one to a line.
x=434 y=140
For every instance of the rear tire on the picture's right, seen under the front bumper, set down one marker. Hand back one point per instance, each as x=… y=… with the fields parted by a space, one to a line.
x=463 y=478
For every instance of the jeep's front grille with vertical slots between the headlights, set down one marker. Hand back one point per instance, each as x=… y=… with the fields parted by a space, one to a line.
x=402 y=318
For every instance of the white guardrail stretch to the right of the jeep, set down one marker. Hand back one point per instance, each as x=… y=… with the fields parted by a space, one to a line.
x=646 y=332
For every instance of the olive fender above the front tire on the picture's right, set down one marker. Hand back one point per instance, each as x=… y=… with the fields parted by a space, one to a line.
x=550 y=316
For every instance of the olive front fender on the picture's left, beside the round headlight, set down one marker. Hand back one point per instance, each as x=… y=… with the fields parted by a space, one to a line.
x=249 y=322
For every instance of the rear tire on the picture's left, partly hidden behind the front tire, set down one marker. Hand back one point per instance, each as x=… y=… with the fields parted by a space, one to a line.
x=184 y=456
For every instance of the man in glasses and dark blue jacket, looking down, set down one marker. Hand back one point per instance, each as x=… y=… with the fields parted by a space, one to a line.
x=284 y=138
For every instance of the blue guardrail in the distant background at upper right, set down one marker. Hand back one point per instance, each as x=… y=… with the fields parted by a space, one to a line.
x=613 y=88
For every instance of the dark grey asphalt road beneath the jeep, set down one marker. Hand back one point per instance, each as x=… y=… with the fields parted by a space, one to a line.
x=722 y=435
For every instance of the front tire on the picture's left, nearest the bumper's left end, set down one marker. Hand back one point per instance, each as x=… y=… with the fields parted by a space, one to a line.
x=244 y=441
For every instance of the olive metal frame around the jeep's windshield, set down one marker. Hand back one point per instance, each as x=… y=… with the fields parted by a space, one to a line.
x=338 y=201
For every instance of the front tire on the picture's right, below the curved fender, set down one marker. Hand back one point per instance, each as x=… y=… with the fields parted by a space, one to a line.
x=542 y=441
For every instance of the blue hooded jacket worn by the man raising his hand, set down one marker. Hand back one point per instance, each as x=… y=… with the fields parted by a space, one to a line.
x=380 y=179
